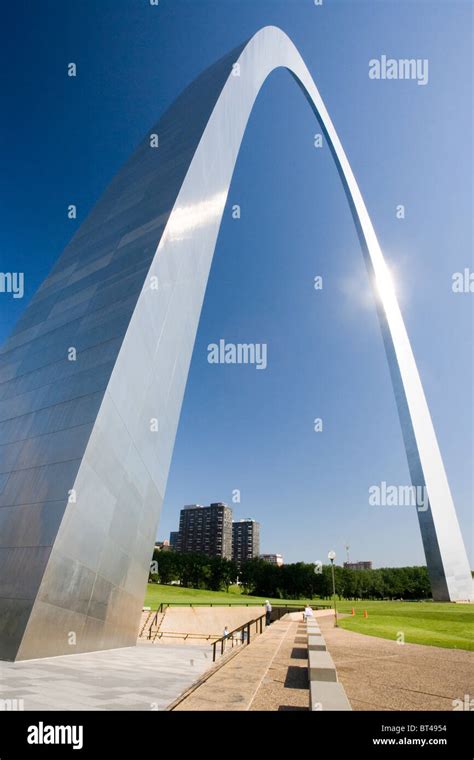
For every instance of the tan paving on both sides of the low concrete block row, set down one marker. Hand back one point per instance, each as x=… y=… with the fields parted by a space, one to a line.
x=377 y=674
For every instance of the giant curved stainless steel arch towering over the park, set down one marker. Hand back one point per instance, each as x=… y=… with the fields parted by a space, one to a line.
x=93 y=376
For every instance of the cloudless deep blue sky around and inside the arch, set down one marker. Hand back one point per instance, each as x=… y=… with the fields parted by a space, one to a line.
x=63 y=140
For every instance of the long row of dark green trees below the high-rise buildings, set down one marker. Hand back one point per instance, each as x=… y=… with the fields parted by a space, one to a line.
x=299 y=580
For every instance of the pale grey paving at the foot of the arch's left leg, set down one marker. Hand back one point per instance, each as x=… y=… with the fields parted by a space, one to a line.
x=145 y=677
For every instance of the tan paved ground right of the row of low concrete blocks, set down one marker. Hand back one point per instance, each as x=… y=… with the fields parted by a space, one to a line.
x=379 y=674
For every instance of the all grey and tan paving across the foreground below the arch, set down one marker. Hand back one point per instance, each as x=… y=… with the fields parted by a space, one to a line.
x=270 y=674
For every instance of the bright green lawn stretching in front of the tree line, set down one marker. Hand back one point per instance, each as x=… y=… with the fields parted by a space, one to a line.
x=434 y=624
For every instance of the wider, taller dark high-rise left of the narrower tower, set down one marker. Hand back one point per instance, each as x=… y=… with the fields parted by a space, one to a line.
x=207 y=530
